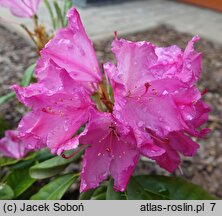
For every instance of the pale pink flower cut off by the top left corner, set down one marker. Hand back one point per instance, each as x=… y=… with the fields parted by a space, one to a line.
x=21 y=8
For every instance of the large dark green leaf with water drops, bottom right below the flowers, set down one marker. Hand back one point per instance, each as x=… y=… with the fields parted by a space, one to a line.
x=173 y=188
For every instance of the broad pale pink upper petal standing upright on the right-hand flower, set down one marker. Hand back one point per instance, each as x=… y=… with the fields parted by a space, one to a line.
x=134 y=60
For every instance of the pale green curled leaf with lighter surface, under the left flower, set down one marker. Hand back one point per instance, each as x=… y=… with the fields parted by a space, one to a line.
x=52 y=166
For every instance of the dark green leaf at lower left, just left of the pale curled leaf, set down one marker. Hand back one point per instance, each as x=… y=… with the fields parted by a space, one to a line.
x=19 y=181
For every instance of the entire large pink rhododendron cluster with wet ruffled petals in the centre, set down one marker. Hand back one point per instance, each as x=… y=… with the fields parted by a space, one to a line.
x=147 y=104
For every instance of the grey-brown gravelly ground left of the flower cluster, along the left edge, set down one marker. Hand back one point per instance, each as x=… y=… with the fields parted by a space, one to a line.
x=15 y=56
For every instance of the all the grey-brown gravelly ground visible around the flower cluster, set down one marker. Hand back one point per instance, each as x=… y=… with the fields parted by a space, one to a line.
x=205 y=168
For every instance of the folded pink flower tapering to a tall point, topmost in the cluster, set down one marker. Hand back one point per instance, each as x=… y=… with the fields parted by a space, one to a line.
x=72 y=50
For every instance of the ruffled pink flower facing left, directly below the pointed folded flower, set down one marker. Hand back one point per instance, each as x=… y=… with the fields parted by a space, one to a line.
x=59 y=108
